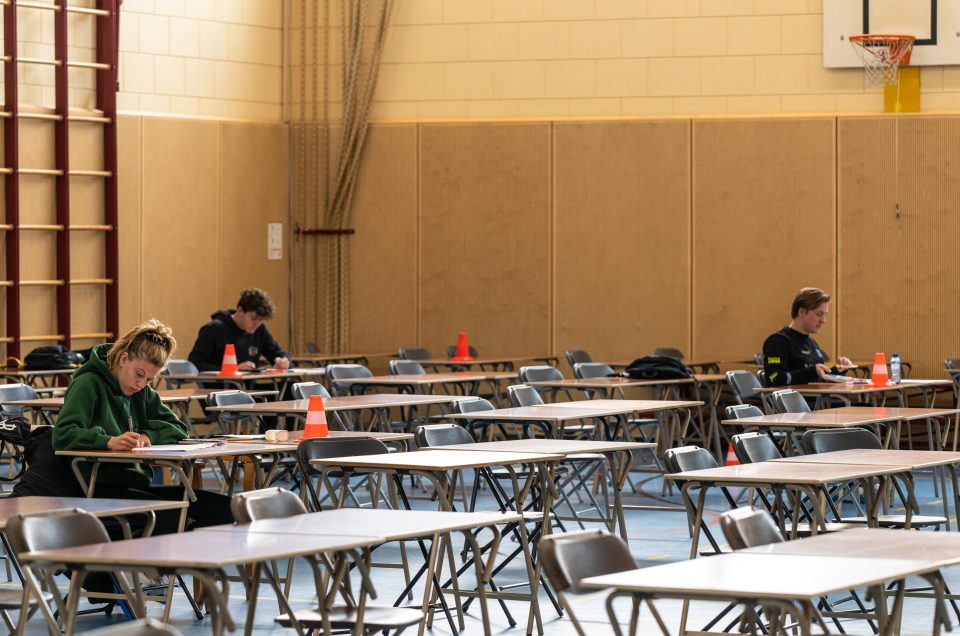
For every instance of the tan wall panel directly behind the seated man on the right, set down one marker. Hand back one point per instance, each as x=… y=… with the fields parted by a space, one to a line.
x=763 y=227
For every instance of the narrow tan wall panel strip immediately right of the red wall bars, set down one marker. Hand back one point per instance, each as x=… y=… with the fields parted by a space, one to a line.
x=129 y=226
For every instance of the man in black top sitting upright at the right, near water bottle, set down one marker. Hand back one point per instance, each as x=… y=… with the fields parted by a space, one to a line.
x=791 y=355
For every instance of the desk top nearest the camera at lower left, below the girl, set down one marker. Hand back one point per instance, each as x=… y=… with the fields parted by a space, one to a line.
x=201 y=550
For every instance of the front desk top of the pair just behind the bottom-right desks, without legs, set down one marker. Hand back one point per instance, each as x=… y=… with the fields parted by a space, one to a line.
x=778 y=472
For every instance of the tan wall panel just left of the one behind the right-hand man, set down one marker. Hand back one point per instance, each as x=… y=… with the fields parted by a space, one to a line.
x=622 y=265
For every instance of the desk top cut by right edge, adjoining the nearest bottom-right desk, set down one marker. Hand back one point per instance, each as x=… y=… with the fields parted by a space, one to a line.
x=938 y=549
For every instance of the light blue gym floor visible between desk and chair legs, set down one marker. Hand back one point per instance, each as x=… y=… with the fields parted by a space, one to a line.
x=656 y=536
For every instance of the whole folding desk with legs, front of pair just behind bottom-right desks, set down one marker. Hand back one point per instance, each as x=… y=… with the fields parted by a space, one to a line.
x=806 y=478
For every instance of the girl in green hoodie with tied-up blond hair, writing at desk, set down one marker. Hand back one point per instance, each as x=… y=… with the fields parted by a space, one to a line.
x=110 y=404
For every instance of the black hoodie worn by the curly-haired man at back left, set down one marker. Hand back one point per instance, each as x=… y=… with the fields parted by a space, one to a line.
x=207 y=353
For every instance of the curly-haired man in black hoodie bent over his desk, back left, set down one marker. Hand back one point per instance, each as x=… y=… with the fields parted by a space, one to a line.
x=244 y=328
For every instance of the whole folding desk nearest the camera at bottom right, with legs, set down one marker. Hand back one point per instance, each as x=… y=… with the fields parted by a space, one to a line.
x=780 y=583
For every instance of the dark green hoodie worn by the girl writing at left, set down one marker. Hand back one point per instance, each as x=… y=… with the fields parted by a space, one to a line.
x=95 y=409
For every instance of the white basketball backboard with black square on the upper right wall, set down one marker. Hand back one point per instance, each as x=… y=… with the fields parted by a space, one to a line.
x=935 y=24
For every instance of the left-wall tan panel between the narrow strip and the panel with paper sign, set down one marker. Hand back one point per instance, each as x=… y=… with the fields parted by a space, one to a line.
x=181 y=246
